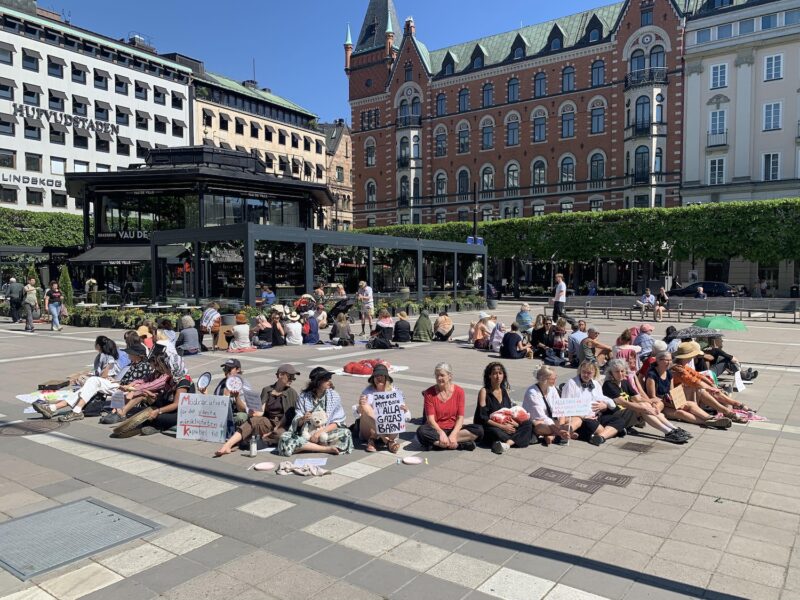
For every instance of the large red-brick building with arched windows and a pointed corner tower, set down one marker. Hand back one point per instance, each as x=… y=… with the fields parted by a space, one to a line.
x=579 y=113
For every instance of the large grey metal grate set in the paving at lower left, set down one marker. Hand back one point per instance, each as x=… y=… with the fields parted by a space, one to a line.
x=58 y=536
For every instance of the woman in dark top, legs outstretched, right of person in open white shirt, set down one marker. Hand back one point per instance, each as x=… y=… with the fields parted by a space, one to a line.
x=634 y=406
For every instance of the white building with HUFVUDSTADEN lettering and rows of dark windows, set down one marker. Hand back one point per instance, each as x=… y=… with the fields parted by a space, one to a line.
x=74 y=100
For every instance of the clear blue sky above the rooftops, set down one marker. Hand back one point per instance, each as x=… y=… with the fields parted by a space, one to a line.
x=297 y=45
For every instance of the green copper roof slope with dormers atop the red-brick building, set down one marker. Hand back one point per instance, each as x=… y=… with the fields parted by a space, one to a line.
x=497 y=48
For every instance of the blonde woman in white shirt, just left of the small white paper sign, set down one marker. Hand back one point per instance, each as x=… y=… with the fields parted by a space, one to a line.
x=538 y=402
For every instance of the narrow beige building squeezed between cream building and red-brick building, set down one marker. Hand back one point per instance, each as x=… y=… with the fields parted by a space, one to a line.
x=340 y=174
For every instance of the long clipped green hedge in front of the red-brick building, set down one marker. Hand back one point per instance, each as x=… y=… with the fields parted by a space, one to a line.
x=763 y=231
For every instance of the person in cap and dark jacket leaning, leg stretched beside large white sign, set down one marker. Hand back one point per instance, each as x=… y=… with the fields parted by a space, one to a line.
x=278 y=403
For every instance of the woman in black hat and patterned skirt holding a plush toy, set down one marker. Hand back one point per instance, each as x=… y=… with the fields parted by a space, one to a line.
x=318 y=395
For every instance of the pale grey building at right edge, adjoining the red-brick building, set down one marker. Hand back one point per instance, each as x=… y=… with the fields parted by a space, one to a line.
x=742 y=124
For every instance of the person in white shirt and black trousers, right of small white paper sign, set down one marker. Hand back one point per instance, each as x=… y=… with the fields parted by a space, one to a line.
x=606 y=420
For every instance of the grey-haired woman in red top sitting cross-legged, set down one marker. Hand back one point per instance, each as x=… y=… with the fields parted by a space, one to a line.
x=444 y=415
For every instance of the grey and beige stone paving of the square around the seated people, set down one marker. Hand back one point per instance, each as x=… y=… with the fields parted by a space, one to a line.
x=716 y=518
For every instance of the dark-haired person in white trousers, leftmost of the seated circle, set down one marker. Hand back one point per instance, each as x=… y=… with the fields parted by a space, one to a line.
x=103 y=380
